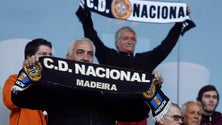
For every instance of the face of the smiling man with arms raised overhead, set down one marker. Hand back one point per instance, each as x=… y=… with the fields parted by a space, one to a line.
x=127 y=42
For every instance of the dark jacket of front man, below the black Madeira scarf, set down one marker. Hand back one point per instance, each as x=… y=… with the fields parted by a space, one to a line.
x=65 y=106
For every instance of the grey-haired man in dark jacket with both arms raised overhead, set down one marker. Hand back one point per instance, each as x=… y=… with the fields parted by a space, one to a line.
x=125 y=41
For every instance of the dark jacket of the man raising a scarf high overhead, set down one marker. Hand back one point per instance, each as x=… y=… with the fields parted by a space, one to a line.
x=131 y=108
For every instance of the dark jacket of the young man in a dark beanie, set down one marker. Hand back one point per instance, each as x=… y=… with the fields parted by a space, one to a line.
x=215 y=119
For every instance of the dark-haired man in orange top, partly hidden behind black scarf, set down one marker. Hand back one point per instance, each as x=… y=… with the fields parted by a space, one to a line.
x=23 y=116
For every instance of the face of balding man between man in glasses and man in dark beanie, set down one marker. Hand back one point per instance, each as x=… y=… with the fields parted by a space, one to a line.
x=192 y=114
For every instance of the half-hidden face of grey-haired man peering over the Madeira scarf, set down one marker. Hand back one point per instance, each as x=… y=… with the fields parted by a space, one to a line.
x=83 y=52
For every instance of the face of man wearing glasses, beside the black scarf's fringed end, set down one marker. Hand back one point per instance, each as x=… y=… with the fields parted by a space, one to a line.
x=173 y=117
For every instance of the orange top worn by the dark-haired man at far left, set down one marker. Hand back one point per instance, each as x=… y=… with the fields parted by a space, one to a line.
x=20 y=116
